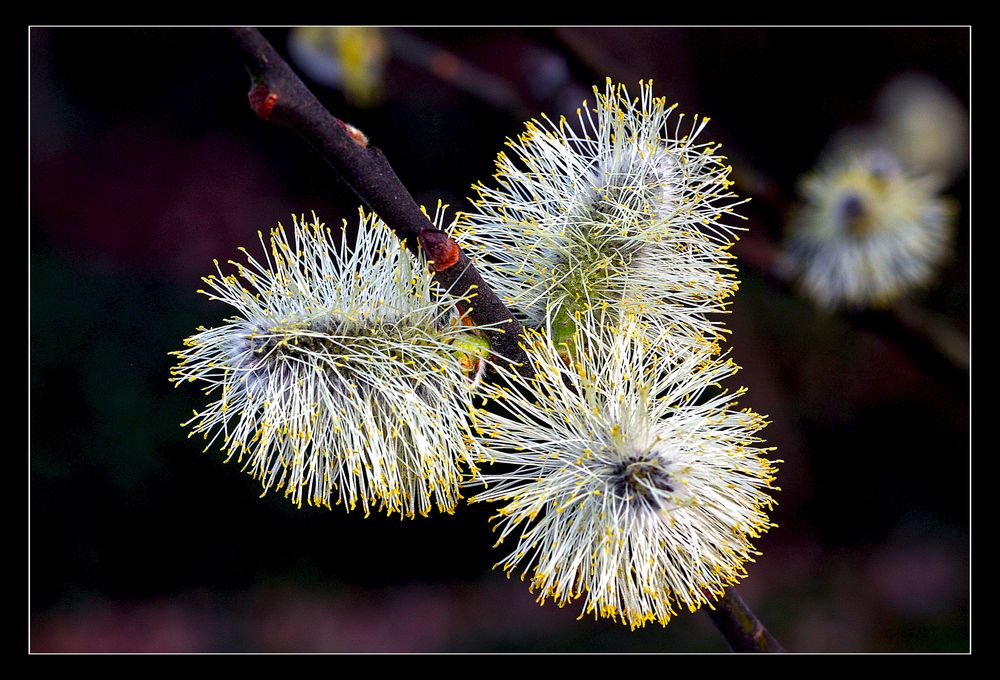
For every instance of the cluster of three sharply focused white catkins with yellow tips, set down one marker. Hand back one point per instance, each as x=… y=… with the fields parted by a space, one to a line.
x=624 y=473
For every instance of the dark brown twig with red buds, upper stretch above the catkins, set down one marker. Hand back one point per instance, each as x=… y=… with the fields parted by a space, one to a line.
x=278 y=95
